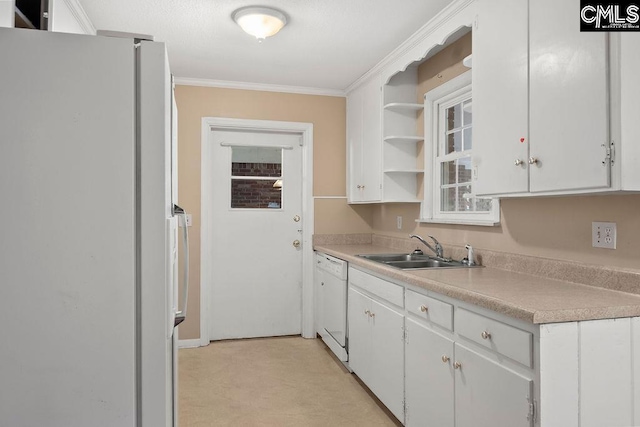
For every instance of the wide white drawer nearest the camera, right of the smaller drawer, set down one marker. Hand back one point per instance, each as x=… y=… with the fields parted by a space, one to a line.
x=497 y=336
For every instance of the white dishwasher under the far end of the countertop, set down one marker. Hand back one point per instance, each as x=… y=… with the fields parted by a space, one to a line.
x=332 y=277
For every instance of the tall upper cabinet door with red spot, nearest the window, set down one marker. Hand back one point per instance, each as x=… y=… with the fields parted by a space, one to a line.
x=500 y=97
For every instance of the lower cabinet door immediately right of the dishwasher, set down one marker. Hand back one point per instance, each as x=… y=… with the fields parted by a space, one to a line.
x=359 y=334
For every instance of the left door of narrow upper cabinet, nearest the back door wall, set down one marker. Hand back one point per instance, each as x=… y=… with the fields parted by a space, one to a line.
x=354 y=145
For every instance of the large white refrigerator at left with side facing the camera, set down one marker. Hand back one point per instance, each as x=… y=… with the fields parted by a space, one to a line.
x=89 y=232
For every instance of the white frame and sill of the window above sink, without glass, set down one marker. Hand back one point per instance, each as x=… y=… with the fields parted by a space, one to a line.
x=436 y=100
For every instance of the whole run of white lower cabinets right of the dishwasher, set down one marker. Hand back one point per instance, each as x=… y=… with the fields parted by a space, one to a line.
x=437 y=361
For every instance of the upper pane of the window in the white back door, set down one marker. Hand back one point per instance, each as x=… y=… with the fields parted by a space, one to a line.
x=256 y=161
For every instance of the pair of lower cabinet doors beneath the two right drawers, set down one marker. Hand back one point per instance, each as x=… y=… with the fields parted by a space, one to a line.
x=450 y=385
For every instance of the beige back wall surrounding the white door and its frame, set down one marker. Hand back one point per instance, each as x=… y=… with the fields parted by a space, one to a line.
x=328 y=115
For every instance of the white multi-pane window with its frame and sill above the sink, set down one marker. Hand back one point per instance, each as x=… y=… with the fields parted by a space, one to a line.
x=449 y=196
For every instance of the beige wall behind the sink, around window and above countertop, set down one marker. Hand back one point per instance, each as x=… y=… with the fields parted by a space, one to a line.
x=553 y=227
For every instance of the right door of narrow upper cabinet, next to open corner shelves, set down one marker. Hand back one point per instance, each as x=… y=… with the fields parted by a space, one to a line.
x=372 y=141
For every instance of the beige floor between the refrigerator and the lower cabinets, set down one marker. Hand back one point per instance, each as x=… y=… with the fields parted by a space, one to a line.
x=286 y=381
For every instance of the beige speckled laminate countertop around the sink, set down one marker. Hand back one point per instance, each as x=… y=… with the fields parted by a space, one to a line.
x=530 y=298
